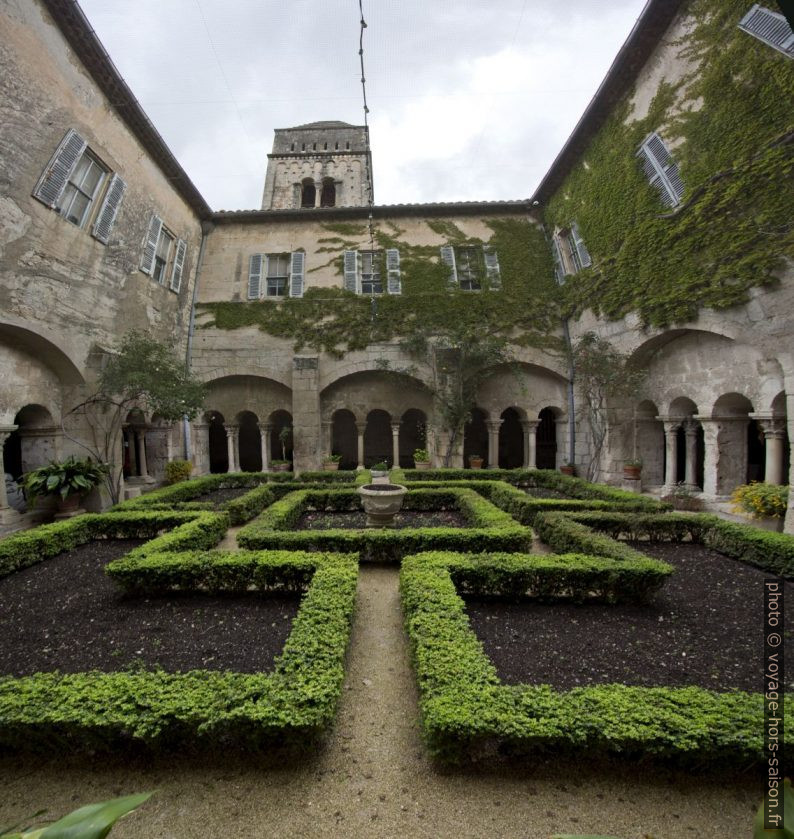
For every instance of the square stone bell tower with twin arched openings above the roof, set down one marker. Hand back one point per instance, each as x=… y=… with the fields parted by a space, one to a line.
x=322 y=164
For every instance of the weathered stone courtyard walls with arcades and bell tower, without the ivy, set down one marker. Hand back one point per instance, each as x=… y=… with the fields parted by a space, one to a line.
x=715 y=408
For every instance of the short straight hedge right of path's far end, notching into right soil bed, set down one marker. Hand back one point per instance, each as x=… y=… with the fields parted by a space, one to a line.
x=552 y=576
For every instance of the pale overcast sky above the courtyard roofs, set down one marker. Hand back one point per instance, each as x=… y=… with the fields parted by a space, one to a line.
x=469 y=99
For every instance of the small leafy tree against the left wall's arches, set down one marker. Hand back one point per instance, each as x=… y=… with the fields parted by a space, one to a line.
x=142 y=373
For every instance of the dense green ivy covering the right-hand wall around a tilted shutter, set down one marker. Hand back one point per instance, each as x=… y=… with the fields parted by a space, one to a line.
x=733 y=116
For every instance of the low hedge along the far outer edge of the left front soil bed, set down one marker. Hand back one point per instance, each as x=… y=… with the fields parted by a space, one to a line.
x=30 y=546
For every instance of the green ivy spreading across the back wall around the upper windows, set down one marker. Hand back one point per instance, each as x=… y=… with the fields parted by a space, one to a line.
x=336 y=321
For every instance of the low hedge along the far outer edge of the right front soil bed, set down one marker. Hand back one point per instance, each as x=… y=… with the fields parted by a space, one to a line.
x=773 y=552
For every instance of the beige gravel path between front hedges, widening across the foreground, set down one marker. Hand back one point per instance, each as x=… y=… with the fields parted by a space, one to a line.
x=374 y=780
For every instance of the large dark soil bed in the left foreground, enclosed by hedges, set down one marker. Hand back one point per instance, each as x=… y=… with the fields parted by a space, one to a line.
x=66 y=614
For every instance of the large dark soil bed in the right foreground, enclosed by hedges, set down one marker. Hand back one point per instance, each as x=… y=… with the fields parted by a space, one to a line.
x=704 y=628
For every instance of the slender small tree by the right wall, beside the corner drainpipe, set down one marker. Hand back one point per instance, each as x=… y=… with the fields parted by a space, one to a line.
x=601 y=374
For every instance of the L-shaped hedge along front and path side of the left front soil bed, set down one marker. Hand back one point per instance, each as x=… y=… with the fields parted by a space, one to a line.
x=53 y=713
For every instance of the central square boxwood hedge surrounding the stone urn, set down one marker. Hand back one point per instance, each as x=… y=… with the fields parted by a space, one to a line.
x=490 y=529
